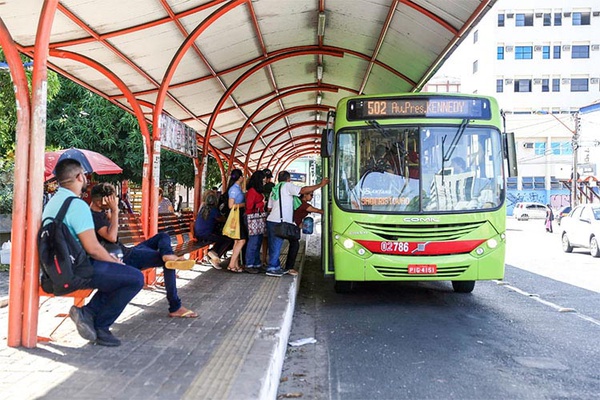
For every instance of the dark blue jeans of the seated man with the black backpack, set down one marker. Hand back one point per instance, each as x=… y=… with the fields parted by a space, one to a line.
x=117 y=284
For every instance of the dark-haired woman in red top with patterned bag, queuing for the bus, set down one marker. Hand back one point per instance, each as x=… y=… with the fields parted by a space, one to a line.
x=256 y=221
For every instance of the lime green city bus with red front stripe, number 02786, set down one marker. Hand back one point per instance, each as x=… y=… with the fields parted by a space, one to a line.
x=418 y=183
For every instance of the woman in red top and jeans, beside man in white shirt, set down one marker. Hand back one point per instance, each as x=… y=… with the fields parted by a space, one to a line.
x=255 y=202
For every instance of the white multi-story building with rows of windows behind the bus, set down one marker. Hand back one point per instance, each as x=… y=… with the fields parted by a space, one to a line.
x=541 y=60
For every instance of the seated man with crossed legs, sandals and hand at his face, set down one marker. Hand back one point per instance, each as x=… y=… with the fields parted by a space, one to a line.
x=154 y=252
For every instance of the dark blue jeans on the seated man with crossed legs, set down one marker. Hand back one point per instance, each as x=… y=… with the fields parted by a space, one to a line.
x=148 y=254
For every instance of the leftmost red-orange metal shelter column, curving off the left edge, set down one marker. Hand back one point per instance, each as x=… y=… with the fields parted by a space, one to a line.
x=17 y=257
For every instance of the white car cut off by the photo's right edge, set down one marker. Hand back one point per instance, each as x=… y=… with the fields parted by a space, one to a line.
x=581 y=228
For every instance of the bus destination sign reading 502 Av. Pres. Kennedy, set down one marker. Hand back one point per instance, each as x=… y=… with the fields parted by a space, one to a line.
x=419 y=107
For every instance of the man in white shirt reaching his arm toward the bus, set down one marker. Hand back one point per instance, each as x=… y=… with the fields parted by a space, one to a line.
x=287 y=190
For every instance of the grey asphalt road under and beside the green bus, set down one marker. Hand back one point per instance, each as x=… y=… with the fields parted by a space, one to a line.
x=532 y=336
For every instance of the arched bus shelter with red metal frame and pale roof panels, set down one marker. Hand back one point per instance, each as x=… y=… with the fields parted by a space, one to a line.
x=249 y=82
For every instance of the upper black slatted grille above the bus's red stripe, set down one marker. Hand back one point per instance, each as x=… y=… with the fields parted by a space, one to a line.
x=433 y=232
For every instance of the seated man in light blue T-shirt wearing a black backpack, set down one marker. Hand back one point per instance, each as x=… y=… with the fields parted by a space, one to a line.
x=116 y=282
